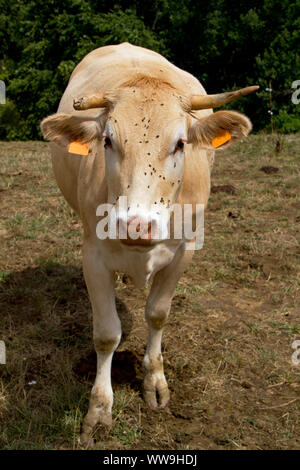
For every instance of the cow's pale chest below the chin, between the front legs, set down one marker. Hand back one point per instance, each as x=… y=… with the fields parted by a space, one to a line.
x=139 y=263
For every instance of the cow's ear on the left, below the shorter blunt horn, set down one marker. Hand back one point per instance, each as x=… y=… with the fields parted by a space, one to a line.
x=65 y=129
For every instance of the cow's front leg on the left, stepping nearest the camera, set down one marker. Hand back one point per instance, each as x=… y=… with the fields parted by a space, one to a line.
x=106 y=334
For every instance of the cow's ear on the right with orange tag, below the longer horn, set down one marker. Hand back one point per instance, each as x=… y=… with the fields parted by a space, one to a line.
x=219 y=130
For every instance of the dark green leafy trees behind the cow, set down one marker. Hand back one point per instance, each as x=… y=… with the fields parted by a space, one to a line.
x=226 y=44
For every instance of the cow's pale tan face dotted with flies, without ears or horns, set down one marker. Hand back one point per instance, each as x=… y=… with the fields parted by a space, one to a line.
x=144 y=139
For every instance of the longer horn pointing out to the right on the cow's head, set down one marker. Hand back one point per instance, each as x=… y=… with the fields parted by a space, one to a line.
x=213 y=101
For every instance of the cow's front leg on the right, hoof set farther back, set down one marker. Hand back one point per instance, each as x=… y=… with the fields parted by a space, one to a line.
x=156 y=313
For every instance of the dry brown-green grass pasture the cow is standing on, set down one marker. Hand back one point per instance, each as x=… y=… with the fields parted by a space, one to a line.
x=228 y=341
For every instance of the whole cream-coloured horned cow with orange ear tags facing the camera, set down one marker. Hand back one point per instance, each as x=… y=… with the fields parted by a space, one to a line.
x=132 y=125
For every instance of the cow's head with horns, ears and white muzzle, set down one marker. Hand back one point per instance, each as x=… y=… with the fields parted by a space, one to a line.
x=145 y=127
